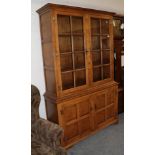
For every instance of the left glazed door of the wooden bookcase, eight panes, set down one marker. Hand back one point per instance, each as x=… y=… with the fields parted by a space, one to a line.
x=71 y=40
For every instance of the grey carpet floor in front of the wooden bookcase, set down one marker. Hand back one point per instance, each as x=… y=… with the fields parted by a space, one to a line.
x=109 y=141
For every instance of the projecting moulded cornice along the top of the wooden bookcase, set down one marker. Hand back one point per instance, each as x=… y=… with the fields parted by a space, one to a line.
x=55 y=6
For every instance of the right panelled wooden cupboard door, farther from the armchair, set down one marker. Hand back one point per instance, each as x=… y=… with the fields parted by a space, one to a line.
x=104 y=106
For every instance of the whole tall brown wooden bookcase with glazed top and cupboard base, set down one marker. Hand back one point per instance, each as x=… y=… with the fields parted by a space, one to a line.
x=77 y=45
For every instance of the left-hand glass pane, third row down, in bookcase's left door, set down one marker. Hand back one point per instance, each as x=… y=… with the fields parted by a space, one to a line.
x=66 y=62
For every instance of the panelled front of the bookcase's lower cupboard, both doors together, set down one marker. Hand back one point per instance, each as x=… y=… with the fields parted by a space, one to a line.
x=83 y=116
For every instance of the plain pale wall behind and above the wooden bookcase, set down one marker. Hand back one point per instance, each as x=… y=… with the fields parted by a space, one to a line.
x=37 y=75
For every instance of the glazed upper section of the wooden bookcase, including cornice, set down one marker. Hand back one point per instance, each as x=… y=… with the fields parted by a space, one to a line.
x=78 y=43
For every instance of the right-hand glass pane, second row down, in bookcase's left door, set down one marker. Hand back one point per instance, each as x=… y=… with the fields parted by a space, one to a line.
x=78 y=43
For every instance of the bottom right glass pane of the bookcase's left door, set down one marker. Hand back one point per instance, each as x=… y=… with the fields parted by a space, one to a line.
x=80 y=77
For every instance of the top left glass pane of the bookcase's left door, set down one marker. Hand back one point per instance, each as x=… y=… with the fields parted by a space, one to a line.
x=64 y=24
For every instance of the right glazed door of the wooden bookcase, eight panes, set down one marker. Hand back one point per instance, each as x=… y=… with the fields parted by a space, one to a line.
x=101 y=48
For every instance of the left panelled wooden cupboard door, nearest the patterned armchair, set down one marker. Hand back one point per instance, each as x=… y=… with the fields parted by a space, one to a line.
x=76 y=119
